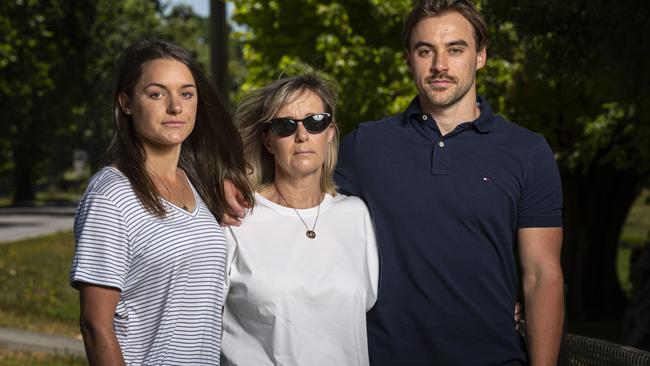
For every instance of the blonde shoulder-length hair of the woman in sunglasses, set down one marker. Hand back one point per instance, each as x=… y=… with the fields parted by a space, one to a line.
x=261 y=105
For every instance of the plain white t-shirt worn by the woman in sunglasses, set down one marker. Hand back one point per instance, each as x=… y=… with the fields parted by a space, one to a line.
x=299 y=301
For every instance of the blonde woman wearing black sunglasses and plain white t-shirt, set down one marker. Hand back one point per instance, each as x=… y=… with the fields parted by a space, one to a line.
x=303 y=265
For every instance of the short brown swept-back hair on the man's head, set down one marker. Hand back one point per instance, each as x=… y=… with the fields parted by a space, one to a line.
x=432 y=8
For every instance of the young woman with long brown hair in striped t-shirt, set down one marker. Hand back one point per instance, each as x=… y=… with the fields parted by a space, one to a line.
x=150 y=255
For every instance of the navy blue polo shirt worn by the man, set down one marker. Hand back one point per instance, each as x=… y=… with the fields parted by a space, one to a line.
x=446 y=211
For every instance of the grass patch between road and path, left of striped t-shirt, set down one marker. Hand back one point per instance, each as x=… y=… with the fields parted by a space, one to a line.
x=34 y=290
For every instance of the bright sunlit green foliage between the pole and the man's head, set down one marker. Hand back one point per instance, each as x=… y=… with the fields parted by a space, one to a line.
x=355 y=42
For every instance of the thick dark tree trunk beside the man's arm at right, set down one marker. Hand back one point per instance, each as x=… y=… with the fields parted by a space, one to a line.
x=595 y=208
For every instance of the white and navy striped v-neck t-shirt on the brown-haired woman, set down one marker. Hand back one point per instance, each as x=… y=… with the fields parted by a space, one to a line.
x=170 y=272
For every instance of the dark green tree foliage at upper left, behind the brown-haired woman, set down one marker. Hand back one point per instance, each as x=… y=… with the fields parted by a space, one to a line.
x=56 y=67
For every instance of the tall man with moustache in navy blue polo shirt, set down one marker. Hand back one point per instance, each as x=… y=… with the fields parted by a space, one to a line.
x=456 y=192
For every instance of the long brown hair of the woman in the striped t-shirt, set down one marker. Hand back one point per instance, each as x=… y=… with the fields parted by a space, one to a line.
x=211 y=153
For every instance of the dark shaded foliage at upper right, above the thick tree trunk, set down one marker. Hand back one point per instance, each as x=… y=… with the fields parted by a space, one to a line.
x=580 y=78
